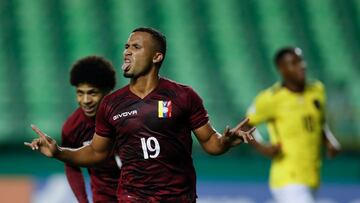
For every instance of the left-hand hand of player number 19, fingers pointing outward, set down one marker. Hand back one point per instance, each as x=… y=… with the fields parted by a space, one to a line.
x=44 y=143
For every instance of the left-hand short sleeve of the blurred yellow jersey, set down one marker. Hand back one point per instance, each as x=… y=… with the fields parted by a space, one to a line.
x=261 y=109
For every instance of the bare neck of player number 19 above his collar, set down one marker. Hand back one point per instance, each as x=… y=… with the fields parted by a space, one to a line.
x=144 y=85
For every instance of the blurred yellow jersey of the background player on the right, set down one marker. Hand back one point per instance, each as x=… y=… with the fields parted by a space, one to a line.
x=295 y=121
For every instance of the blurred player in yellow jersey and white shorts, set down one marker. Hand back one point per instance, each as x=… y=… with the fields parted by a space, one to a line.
x=294 y=110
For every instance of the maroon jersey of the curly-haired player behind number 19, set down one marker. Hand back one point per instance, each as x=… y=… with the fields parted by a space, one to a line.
x=78 y=131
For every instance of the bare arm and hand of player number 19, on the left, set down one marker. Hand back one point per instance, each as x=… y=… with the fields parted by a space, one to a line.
x=85 y=156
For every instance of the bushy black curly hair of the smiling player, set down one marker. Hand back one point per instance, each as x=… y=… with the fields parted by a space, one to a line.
x=94 y=70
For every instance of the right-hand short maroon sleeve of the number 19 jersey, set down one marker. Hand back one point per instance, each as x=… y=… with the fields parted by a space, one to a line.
x=198 y=115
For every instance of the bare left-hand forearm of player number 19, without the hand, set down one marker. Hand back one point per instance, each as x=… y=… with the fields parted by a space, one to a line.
x=83 y=156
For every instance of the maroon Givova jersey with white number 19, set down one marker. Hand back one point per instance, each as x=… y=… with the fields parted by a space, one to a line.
x=154 y=140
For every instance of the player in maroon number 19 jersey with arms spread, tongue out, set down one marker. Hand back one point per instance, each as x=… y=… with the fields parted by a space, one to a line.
x=151 y=120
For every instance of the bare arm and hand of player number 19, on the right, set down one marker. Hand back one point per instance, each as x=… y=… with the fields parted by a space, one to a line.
x=215 y=143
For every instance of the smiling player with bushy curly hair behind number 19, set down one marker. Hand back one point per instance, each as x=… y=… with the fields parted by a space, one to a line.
x=93 y=77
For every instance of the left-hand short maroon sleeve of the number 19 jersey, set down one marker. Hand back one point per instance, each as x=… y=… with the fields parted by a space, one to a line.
x=102 y=125
